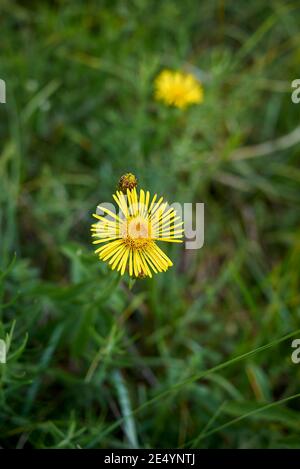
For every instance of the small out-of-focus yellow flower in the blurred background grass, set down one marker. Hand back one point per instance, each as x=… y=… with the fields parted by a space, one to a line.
x=178 y=89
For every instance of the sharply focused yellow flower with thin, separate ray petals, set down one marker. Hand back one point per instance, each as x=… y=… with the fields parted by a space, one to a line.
x=129 y=240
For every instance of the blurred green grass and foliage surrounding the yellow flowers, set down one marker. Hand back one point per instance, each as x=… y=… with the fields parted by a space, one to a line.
x=91 y=362
